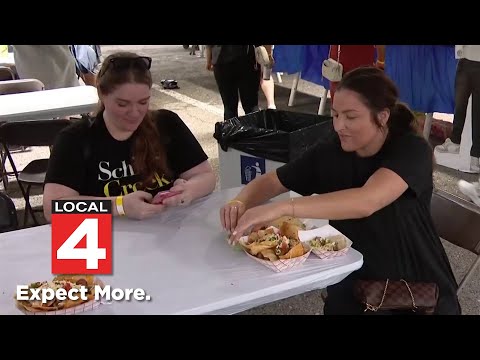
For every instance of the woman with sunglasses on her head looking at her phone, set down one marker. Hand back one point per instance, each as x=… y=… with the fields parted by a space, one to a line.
x=127 y=153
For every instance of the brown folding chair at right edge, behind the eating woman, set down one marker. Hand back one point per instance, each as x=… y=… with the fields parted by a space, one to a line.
x=458 y=222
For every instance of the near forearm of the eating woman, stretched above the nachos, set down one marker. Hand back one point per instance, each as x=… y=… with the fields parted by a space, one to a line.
x=338 y=205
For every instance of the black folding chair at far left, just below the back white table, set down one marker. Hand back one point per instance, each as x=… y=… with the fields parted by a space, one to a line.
x=30 y=133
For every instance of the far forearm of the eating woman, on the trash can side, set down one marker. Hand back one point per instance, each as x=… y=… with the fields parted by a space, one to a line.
x=261 y=189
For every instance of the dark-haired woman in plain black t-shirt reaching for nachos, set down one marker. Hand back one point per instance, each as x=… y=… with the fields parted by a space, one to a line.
x=374 y=183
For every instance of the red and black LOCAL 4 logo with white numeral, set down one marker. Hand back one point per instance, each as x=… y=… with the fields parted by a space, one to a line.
x=81 y=237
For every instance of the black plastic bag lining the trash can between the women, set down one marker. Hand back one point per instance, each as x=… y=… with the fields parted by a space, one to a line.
x=274 y=134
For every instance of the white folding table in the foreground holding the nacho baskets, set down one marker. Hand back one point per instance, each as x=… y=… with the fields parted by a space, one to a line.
x=180 y=258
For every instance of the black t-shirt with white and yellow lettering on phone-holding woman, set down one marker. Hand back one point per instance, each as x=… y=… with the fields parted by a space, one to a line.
x=88 y=159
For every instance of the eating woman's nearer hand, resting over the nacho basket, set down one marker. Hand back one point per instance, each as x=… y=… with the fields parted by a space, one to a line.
x=256 y=218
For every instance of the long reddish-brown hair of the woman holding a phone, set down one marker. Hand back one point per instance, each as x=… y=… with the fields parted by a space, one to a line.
x=148 y=154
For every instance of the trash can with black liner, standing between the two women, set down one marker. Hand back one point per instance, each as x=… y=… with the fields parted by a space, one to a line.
x=254 y=144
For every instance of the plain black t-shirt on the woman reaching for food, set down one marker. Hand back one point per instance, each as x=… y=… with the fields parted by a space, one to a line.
x=398 y=241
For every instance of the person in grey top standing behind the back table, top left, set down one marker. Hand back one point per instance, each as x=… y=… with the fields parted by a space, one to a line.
x=53 y=65
